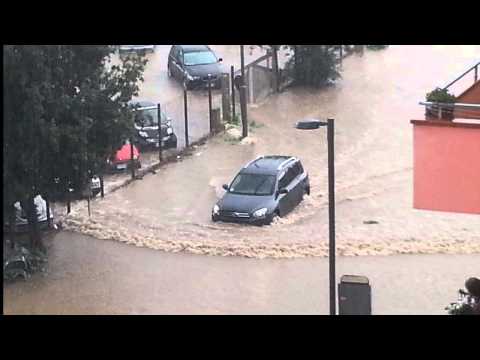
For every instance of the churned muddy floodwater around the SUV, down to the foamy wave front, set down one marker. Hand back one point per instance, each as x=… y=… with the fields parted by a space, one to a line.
x=372 y=105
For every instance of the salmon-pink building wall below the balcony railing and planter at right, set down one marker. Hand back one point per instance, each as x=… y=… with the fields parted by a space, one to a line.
x=446 y=166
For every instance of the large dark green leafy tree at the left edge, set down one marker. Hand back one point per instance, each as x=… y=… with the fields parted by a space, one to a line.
x=65 y=111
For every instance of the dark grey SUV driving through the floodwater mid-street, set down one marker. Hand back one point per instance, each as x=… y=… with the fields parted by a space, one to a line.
x=266 y=187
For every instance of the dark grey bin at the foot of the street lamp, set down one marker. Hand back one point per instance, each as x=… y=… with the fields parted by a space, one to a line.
x=354 y=295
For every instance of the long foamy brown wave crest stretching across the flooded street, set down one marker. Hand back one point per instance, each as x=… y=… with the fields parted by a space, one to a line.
x=200 y=243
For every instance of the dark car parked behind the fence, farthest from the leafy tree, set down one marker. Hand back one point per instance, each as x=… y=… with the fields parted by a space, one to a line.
x=192 y=64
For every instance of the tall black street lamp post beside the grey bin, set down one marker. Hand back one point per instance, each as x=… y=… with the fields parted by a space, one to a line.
x=311 y=125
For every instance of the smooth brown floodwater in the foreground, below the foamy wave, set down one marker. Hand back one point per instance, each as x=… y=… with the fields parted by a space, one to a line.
x=90 y=276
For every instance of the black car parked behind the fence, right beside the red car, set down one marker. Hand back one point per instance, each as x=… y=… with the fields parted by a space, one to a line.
x=146 y=126
